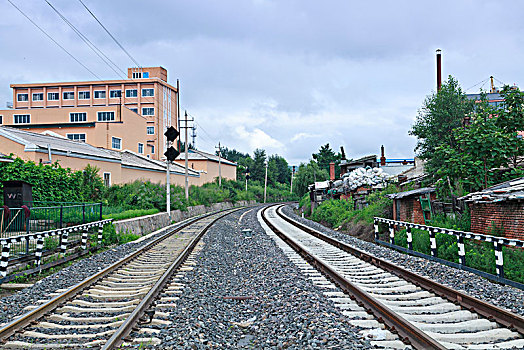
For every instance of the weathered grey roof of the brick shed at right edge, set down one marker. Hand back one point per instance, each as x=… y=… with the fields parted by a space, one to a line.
x=509 y=190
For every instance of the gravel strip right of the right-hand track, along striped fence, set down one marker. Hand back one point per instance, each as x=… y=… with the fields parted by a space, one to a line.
x=503 y=296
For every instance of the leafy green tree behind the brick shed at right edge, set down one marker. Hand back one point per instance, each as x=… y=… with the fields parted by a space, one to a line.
x=485 y=152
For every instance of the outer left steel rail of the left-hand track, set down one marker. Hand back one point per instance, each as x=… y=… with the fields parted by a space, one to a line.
x=26 y=319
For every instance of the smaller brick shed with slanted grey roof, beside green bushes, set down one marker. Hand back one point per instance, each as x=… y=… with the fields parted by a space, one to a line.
x=408 y=207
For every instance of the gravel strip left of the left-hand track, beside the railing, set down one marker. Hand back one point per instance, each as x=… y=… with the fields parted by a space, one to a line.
x=13 y=305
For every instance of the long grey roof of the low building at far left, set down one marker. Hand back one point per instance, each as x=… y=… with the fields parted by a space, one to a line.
x=41 y=143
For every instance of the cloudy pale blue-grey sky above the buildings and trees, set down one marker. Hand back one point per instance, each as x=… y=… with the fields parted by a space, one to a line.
x=286 y=76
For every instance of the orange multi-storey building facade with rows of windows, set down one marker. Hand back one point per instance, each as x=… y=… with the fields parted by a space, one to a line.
x=114 y=114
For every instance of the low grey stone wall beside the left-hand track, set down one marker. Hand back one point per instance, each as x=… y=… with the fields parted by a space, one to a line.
x=146 y=224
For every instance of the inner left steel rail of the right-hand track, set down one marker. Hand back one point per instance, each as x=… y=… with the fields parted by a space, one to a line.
x=407 y=332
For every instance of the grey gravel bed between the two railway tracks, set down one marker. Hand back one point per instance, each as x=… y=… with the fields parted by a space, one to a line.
x=287 y=310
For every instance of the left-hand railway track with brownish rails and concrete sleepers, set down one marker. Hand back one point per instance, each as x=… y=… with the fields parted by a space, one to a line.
x=101 y=311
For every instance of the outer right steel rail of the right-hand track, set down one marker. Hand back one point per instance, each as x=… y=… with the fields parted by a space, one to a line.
x=491 y=312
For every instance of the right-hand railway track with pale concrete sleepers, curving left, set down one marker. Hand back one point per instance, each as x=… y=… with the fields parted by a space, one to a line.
x=397 y=308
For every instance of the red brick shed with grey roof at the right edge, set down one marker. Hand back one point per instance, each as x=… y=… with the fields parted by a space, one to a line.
x=498 y=209
